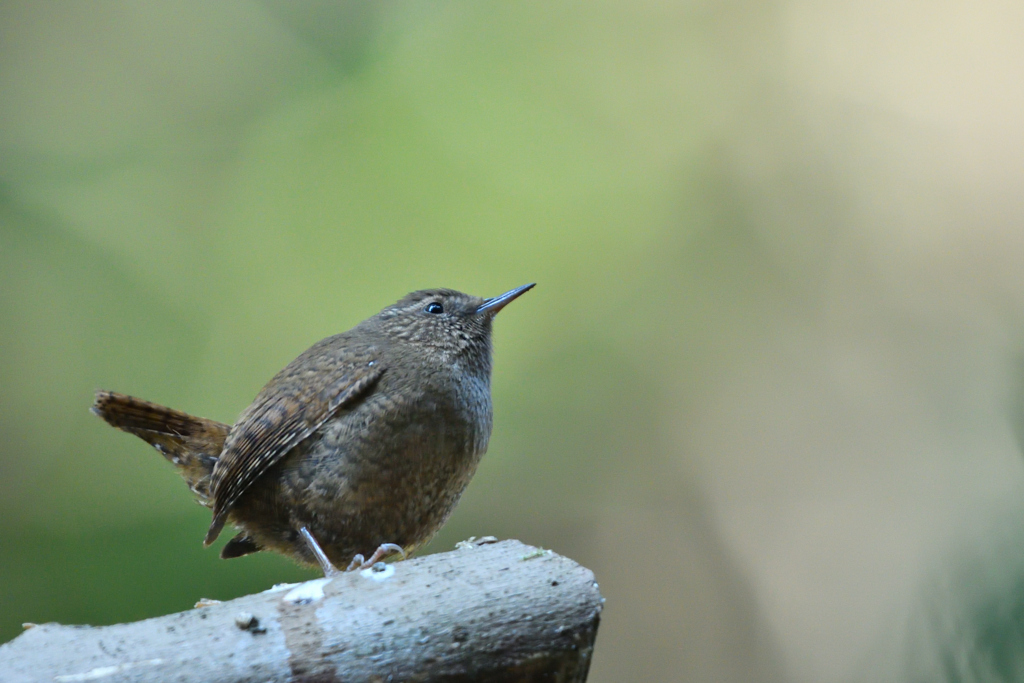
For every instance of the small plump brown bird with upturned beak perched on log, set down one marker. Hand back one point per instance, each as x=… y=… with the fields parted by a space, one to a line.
x=362 y=445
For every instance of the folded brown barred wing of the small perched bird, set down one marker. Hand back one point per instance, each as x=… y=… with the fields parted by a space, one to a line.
x=289 y=409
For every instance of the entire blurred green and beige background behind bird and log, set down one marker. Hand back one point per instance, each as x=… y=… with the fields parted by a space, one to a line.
x=769 y=388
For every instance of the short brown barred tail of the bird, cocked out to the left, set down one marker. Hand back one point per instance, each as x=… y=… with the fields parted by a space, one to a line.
x=191 y=444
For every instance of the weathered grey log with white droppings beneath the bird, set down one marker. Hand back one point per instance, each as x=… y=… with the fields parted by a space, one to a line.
x=500 y=613
